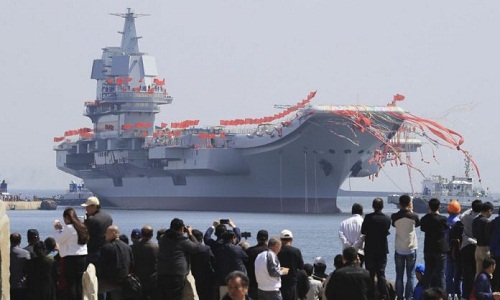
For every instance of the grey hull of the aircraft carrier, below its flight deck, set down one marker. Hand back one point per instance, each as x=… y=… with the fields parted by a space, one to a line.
x=297 y=173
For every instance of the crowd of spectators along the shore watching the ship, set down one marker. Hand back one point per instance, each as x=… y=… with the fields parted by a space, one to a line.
x=460 y=255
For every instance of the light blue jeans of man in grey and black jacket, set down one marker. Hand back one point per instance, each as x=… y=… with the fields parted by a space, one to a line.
x=402 y=262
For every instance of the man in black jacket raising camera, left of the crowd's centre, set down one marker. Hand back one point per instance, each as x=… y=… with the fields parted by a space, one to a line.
x=174 y=259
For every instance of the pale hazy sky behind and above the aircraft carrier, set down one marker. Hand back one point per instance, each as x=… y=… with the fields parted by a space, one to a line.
x=227 y=59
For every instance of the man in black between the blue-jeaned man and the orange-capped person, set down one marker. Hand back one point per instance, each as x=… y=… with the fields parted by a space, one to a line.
x=436 y=246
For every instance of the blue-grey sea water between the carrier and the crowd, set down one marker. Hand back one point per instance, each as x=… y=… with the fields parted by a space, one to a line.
x=314 y=235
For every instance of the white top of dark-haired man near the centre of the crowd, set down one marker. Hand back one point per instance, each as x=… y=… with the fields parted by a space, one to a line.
x=267 y=271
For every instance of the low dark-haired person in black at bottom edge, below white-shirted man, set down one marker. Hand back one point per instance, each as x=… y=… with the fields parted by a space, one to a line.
x=349 y=282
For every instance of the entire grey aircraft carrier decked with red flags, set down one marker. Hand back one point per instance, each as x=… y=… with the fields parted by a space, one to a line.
x=294 y=161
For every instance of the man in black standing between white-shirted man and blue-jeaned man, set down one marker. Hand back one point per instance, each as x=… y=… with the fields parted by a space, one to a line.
x=376 y=229
